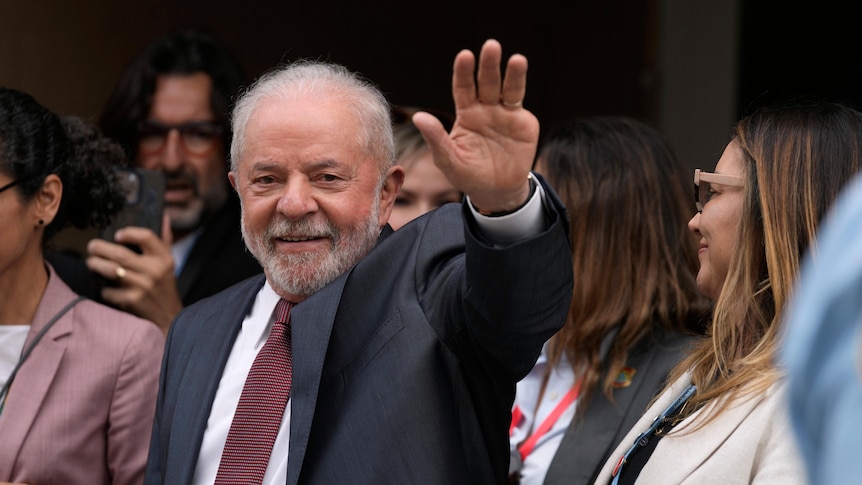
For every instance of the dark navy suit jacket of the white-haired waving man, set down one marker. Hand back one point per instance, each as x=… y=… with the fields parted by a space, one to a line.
x=404 y=368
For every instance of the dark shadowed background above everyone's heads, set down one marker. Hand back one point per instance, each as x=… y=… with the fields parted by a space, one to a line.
x=689 y=67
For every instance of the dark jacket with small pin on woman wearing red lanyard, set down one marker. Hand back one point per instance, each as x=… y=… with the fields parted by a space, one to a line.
x=589 y=441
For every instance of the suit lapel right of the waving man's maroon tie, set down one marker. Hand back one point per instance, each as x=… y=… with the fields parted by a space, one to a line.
x=311 y=324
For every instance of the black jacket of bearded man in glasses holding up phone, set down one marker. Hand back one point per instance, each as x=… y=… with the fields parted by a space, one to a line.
x=217 y=260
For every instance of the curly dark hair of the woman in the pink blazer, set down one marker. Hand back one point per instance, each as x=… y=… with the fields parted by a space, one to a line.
x=34 y=143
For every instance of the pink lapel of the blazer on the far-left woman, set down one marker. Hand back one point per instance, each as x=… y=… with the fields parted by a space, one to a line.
x=34 y=379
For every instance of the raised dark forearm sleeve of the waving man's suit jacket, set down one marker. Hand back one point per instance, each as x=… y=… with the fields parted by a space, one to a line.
x=518 y=296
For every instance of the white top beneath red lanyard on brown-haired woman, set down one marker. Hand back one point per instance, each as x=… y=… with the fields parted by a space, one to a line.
x=562 y=378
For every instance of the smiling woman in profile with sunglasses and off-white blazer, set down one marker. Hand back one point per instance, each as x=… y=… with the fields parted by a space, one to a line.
x=722 y=418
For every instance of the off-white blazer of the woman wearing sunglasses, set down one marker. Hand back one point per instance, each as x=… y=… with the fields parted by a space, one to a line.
x=751 y=442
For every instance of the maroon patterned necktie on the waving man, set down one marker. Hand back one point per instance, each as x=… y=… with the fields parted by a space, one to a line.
x=261 y=406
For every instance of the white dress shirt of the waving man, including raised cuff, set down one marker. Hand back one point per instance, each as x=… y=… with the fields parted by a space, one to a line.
x=524 y=223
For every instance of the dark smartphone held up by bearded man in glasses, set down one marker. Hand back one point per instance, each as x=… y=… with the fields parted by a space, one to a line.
x=145 y=191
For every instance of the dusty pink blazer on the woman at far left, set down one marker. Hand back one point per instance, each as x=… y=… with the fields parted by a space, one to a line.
x=80 y=409
